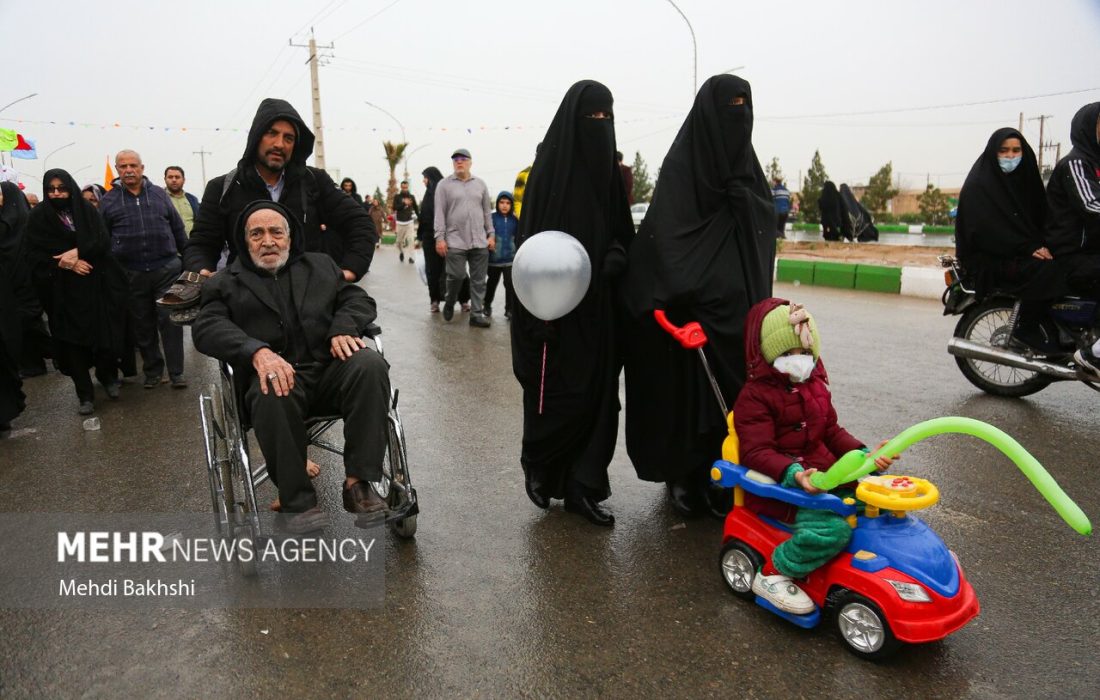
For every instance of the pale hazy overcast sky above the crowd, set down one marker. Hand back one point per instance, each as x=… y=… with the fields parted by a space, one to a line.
x=489 y=76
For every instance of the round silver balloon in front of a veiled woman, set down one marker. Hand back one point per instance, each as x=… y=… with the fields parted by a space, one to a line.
x=552 y=274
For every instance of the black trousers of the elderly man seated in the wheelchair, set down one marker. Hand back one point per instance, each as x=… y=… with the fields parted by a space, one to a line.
x=357 y=389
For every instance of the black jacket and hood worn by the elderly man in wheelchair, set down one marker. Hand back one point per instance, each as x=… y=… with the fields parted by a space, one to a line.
x=295 y=312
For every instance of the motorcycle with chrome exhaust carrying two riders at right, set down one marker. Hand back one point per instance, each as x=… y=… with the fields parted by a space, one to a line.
x=986 y=352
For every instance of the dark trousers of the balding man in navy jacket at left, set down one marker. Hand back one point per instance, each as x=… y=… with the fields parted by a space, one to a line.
x=151 y=324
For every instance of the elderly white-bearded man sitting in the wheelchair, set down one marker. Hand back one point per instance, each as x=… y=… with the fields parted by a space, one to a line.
x=291 y=329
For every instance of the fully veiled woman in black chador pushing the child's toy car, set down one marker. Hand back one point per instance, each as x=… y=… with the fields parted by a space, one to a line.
x=705 y=254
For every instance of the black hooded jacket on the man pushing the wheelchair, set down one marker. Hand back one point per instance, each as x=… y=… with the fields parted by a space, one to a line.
x=309 y=194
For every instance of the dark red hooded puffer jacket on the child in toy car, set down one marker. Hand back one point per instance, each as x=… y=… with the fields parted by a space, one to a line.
x=780 y=423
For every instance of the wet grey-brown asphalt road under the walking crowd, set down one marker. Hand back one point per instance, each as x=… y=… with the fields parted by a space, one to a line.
x=496 y=598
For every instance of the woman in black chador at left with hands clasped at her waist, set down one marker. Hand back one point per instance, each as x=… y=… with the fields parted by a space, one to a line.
x=81 y=286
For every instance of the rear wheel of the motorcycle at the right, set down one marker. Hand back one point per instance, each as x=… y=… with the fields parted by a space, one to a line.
x=988 y=324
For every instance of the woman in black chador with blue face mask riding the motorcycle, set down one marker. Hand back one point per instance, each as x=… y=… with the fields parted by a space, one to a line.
x=999 y=234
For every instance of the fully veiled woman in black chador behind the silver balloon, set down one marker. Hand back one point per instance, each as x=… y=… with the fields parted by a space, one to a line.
x=575 y=187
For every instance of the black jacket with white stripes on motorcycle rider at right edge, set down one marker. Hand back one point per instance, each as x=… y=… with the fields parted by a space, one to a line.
x=1074 y=191
